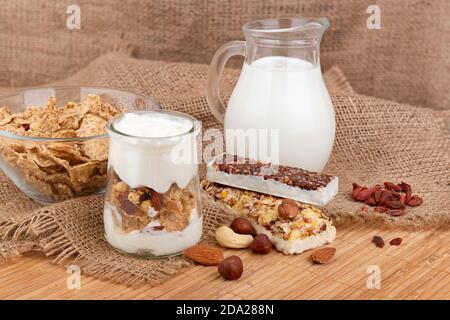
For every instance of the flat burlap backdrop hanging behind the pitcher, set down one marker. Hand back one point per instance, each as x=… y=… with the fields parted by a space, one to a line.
x=407 y=60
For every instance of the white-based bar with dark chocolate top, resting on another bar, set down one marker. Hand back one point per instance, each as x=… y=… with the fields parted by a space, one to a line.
x=281 y=181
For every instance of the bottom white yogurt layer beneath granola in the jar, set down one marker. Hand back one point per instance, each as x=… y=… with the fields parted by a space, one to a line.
x=149 y=241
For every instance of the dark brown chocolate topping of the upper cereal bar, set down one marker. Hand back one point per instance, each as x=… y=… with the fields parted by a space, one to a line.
x=290 y=176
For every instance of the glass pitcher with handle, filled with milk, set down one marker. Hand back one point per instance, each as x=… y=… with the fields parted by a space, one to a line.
x=280 y=106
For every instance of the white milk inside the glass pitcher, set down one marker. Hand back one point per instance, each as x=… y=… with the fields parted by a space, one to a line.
x=287 y=94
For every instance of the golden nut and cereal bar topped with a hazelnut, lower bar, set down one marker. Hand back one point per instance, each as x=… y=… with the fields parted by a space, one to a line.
x=292 y=226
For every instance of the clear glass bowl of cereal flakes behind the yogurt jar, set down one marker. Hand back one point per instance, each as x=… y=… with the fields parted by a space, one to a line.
x=56 y=169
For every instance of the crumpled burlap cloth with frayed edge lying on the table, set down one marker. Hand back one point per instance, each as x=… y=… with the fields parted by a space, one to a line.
x=376 y=140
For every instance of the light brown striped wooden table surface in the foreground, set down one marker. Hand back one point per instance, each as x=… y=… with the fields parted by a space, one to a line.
x=417 y=269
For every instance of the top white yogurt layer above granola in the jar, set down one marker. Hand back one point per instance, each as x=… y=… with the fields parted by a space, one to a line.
x=169 y=156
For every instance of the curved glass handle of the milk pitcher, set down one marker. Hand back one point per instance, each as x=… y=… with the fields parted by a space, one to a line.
x=218 y=62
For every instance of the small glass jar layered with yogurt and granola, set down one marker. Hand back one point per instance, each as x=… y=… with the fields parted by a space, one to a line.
x=152 y=205
